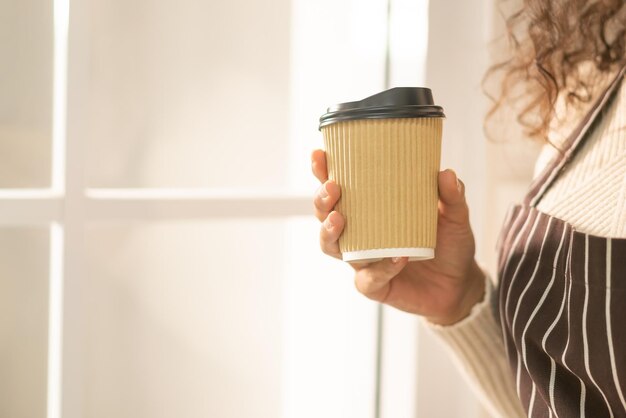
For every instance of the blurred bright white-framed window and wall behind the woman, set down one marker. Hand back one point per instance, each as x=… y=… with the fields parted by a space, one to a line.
x=158 y=253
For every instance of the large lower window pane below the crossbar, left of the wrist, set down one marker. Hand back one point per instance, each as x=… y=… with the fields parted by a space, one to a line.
x=224 y=319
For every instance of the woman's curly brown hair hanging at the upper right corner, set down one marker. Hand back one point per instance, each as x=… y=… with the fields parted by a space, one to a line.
x=552 y=45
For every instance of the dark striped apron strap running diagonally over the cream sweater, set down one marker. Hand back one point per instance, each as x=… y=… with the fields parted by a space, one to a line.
x=541 y=184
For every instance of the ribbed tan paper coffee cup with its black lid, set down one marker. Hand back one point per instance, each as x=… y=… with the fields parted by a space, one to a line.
x=384 y=152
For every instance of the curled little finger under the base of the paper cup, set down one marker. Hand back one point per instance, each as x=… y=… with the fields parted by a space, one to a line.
x=373 y=281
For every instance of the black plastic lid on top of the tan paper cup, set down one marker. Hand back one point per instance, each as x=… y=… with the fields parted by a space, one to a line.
x=398 y=102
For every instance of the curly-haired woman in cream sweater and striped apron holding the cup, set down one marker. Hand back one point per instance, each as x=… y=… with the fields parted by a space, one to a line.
x=547 y=341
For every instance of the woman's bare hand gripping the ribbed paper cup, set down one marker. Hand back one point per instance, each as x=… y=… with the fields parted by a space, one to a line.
x=443 y=289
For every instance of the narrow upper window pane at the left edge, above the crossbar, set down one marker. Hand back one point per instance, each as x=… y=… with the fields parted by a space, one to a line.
x=26 y=86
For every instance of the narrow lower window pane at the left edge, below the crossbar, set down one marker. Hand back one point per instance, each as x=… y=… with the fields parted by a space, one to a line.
x=23 y=322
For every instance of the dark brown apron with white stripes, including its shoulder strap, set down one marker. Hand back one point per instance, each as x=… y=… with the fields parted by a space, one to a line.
x=561 y=302
